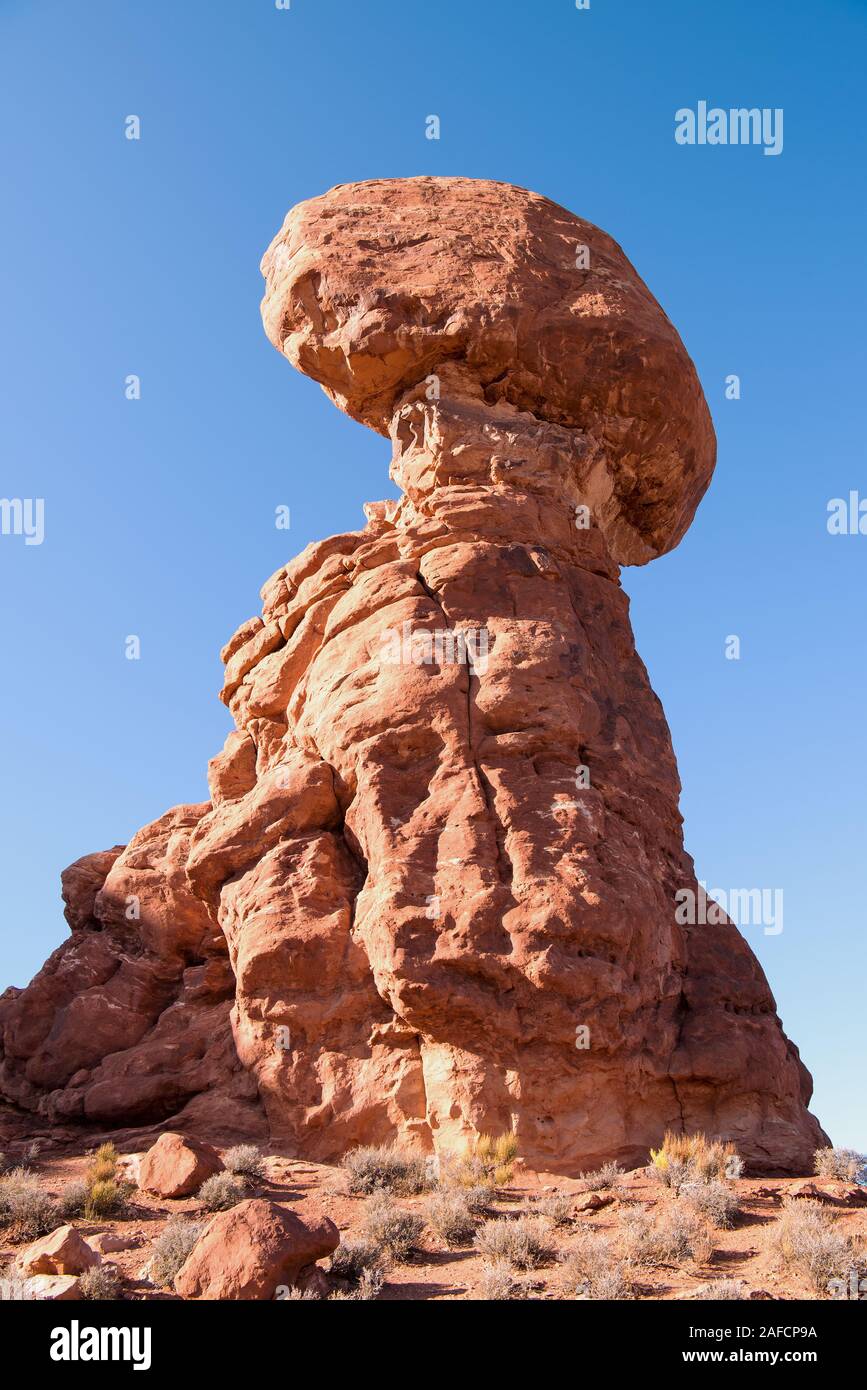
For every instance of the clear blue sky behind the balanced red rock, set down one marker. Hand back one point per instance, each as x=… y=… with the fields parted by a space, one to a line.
x=123 y=256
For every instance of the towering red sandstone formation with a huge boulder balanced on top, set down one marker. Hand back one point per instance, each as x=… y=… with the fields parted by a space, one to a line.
x=431 y=860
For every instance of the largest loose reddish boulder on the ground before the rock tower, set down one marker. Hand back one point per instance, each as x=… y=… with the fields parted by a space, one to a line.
x=254 y=1249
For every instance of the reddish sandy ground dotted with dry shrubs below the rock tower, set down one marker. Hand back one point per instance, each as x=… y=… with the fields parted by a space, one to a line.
x=473 y=1227
